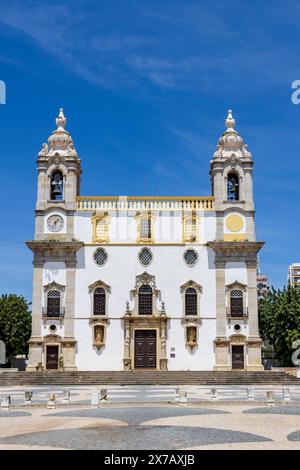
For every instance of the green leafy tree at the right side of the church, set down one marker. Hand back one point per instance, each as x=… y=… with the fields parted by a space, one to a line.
x=279 y=321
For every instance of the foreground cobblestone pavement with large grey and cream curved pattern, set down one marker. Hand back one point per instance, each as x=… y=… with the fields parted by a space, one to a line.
x=170 y=427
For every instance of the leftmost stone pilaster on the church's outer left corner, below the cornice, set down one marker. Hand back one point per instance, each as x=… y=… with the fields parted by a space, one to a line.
x=35 y=342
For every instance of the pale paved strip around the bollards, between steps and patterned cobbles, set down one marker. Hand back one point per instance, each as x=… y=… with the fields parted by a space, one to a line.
x=149 y=394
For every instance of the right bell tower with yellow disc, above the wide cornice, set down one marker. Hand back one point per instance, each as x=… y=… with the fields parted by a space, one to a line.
x=231 y=181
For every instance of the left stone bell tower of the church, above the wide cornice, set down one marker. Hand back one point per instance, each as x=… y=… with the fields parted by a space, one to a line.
x=59 y=172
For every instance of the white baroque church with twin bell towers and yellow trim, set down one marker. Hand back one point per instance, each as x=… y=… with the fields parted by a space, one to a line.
x=144 y=282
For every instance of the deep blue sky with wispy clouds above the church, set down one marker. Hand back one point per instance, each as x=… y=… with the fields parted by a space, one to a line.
x=145 y=86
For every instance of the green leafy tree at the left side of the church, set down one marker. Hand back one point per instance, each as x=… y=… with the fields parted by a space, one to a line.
x=15 y=324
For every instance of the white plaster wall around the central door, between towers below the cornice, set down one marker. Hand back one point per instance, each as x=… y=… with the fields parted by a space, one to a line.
x=119 y=273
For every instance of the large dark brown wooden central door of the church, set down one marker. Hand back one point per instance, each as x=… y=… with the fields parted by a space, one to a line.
x=145 y=349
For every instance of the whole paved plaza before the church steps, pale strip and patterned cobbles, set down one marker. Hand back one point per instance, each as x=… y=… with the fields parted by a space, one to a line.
x=147 y=417
